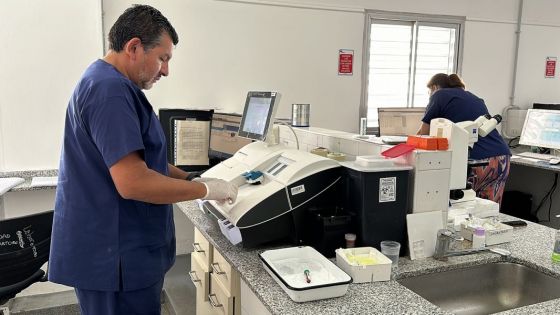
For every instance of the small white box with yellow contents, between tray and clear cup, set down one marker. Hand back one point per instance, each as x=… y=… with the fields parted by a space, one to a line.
x=364 y=264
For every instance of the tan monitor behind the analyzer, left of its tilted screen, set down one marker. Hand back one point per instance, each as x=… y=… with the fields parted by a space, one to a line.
x=224 y=141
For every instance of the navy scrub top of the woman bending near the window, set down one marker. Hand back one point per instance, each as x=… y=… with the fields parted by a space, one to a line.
x=458 y=105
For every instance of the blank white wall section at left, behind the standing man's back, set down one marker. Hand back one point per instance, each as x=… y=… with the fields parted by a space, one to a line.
x=45 y=47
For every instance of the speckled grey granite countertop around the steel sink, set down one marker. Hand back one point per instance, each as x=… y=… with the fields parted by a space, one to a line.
x=531 y=246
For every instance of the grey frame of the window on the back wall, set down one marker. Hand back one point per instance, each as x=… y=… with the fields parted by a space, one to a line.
x=402 y=18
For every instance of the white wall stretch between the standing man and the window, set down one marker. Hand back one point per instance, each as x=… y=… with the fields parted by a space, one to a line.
x=226 y=49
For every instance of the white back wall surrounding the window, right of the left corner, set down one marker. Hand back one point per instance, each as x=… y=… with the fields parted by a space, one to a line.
x=228 y=47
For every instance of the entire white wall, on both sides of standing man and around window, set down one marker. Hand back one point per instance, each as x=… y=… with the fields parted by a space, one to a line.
x=229 y=47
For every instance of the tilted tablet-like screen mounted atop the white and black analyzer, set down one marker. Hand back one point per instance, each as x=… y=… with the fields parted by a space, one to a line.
x=258 y=115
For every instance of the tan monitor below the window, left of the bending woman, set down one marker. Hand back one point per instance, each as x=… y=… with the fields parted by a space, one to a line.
x=399 y=121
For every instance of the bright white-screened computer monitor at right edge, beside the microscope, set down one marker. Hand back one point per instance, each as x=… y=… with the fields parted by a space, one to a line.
x=541 y=128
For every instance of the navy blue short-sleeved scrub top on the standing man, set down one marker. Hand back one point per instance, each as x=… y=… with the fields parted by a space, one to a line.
x=101 y=241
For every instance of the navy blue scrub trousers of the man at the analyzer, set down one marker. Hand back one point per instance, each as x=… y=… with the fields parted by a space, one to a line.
x=145 y=301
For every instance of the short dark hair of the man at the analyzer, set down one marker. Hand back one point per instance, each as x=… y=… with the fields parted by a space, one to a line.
x=144 y=22
